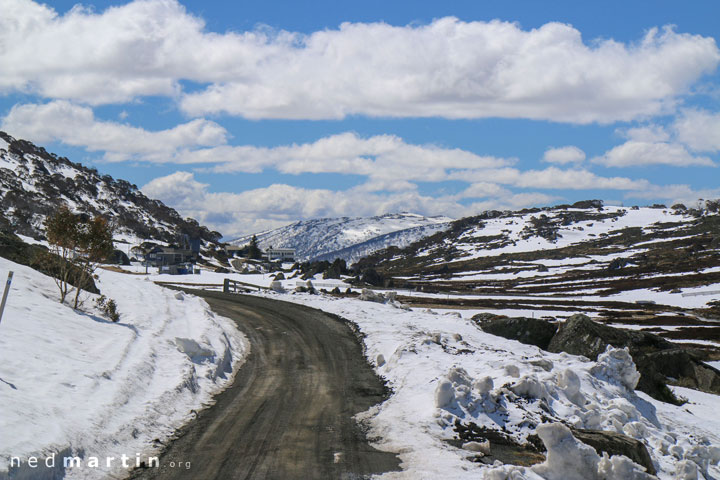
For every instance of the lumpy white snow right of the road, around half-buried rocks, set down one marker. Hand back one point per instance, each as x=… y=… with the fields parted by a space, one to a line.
x=441 y=367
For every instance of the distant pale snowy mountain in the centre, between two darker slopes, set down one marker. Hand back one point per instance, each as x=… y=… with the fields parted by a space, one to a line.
x=349 y=238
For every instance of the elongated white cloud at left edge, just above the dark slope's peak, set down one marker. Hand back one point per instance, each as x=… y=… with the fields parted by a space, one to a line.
x=77 y=126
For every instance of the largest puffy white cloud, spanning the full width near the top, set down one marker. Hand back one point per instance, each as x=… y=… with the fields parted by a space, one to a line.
x=448 y=68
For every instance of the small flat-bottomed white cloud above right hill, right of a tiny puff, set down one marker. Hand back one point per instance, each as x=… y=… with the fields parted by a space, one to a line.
x=637 y=153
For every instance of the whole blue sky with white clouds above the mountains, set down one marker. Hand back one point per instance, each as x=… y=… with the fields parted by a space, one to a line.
x=248 y=116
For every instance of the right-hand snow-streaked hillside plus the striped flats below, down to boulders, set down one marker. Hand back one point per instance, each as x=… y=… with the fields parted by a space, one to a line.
x=650 y=268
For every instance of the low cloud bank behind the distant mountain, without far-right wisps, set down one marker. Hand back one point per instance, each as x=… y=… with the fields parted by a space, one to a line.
x=258 y=209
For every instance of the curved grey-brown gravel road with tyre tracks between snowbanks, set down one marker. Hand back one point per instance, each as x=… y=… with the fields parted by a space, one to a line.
x=288 y=414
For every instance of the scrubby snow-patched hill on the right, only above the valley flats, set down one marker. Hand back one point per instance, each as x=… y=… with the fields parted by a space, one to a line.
x=564 y=250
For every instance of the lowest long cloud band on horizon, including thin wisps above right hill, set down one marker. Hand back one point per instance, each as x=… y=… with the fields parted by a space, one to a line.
x=262 y=208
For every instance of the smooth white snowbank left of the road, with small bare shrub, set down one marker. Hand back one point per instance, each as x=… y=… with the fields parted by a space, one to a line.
x=75 y=382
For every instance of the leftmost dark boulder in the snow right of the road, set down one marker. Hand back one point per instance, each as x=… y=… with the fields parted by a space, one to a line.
x=531 y=331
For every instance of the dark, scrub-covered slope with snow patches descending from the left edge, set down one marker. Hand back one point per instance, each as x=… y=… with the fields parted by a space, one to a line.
x=34 y=182
